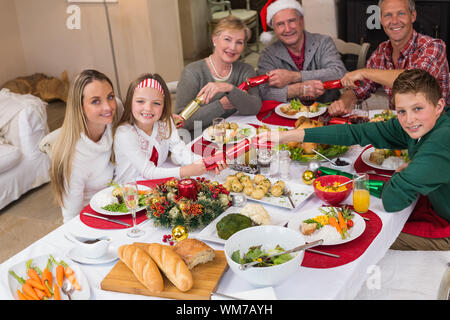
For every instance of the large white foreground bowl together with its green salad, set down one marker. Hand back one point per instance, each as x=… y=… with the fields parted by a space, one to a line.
x=258 y=244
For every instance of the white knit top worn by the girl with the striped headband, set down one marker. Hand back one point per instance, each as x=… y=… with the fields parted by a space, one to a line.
x=133 y=161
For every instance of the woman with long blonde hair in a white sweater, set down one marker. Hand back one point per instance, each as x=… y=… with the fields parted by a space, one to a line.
x=81 y=157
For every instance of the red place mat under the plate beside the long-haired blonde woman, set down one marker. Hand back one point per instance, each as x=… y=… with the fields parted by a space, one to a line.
x=103 y=224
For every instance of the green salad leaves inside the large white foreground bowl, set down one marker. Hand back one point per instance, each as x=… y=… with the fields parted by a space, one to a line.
x=257 y=254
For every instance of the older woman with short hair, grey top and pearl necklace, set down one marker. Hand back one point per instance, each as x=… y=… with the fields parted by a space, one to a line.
x=217 y=77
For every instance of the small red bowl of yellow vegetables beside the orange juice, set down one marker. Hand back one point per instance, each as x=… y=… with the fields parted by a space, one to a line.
x=329 y=189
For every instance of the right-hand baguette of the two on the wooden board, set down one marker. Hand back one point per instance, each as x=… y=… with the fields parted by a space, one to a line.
x=172 y=265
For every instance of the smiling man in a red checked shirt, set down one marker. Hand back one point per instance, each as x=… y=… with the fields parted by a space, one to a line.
x=405 y=49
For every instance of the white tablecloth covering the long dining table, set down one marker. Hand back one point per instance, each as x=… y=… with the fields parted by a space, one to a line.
x=342 y=282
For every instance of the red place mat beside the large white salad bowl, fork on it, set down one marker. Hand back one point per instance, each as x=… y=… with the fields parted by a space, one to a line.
x=348 y=251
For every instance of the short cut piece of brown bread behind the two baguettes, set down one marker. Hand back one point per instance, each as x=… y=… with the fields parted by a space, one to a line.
x=194 y=252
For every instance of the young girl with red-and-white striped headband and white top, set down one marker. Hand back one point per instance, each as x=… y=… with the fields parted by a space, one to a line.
x=146 y=133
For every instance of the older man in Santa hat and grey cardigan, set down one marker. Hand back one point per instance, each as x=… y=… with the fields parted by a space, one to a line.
x=298 y=57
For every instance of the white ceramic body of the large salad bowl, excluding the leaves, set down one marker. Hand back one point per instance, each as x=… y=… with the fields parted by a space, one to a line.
x=269 y=237
